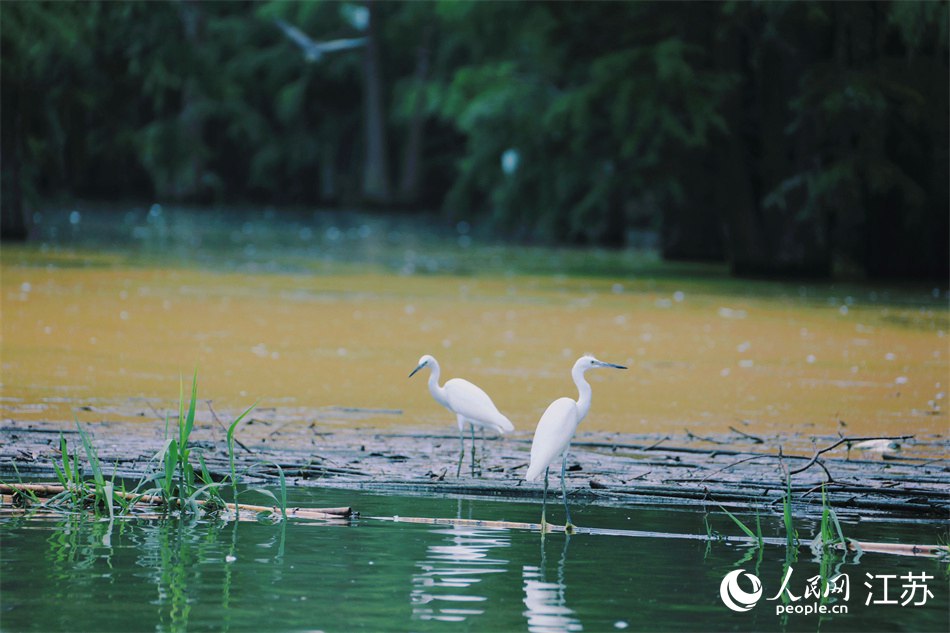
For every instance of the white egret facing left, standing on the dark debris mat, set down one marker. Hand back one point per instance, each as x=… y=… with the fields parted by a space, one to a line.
x=469 y=403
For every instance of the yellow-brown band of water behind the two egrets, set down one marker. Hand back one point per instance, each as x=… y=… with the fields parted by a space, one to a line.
x=109 y=340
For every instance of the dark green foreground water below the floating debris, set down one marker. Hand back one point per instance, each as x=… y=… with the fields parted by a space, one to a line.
x=71 y=574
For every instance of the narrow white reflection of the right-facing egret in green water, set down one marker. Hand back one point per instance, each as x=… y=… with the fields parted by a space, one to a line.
x=545 y=602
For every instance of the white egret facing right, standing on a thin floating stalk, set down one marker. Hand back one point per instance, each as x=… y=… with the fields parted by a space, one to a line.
x=556 y=429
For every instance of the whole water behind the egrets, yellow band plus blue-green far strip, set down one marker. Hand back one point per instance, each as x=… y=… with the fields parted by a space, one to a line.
x=106 y=309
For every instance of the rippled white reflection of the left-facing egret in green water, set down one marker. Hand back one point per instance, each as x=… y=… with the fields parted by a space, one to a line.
x=447 y=587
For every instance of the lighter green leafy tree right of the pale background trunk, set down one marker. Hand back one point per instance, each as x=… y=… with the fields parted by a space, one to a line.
x=596 y=100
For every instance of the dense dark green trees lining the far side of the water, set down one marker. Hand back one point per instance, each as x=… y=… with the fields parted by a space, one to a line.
x=781 y=137
